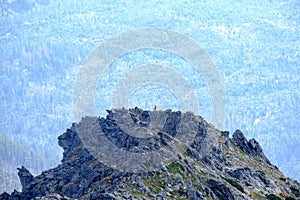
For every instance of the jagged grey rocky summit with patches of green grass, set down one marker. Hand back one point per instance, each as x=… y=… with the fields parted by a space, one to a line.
x=188 y=159
